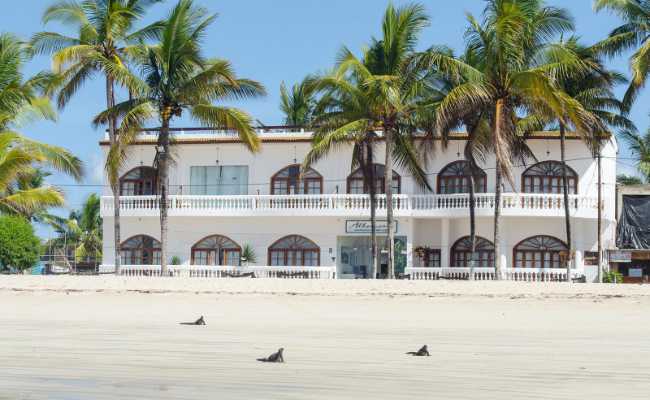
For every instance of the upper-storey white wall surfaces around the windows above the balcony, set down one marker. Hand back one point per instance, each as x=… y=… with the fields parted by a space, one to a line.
x=337 y=166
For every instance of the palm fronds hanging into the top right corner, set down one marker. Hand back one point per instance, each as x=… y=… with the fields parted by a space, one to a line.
x=633 y=34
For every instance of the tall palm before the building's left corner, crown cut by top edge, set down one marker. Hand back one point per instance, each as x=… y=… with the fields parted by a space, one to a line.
x=103 y=45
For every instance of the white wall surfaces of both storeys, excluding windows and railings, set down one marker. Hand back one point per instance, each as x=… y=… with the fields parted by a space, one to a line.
x=261 y=232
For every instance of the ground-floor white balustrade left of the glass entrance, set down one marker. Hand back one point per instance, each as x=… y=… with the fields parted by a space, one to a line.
x=208 y=271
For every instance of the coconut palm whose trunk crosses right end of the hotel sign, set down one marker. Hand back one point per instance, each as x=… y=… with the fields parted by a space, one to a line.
x=389 y=87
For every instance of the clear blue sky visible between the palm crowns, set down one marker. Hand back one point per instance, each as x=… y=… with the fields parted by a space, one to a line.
x=275 y=41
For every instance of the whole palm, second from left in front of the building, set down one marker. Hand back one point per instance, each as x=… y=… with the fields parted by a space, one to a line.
x=178 y=78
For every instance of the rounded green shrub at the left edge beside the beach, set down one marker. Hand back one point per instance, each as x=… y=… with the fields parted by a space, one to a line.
x=19 y=246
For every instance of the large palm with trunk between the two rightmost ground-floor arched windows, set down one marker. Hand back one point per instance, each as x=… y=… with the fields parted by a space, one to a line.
x=507 y=81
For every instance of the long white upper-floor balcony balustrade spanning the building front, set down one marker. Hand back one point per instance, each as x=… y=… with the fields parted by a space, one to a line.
x=347 y=205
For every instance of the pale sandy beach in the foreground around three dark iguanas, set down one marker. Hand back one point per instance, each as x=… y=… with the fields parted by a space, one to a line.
x=113 y=338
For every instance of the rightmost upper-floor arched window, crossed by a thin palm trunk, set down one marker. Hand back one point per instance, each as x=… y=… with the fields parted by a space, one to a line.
x=546 y=177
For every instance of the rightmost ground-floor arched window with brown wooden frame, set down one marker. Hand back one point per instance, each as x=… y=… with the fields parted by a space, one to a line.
x=540 y=252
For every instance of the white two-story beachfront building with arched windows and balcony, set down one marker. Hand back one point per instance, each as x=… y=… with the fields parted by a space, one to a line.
x=225 y=199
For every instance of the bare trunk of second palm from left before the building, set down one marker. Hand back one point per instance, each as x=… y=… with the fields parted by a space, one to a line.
x=163 y=173
